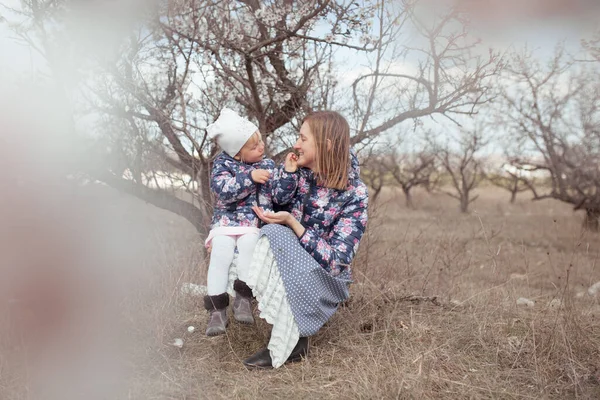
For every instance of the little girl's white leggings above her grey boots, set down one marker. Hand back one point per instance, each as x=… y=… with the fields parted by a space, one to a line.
x=221 y=257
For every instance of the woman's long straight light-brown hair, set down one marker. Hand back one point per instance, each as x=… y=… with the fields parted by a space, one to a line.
x=331 y=163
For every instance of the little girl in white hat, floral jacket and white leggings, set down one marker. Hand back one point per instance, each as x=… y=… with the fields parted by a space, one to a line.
x=239 y=181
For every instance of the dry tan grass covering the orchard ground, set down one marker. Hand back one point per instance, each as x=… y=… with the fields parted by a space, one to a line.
x=433 y=311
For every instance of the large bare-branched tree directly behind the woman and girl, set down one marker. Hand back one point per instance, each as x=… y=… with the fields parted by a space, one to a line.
x=183 y=61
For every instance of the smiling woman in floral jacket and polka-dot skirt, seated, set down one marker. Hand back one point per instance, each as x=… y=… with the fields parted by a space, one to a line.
x=301 y=266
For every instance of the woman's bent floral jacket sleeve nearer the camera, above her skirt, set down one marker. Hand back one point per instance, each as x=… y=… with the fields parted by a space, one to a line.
x=337 y=251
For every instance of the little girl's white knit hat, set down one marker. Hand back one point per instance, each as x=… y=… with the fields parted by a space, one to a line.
x=231 y=131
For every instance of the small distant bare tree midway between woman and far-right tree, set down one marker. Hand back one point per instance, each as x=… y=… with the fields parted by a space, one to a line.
x=461 y=161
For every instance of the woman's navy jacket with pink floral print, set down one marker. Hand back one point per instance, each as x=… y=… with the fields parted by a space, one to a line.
x=335 y=220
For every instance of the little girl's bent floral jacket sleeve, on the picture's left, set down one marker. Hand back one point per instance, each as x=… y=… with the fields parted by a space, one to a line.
x=229 y=185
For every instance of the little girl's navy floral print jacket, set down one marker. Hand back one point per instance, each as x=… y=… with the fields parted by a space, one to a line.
x=235 y=191
